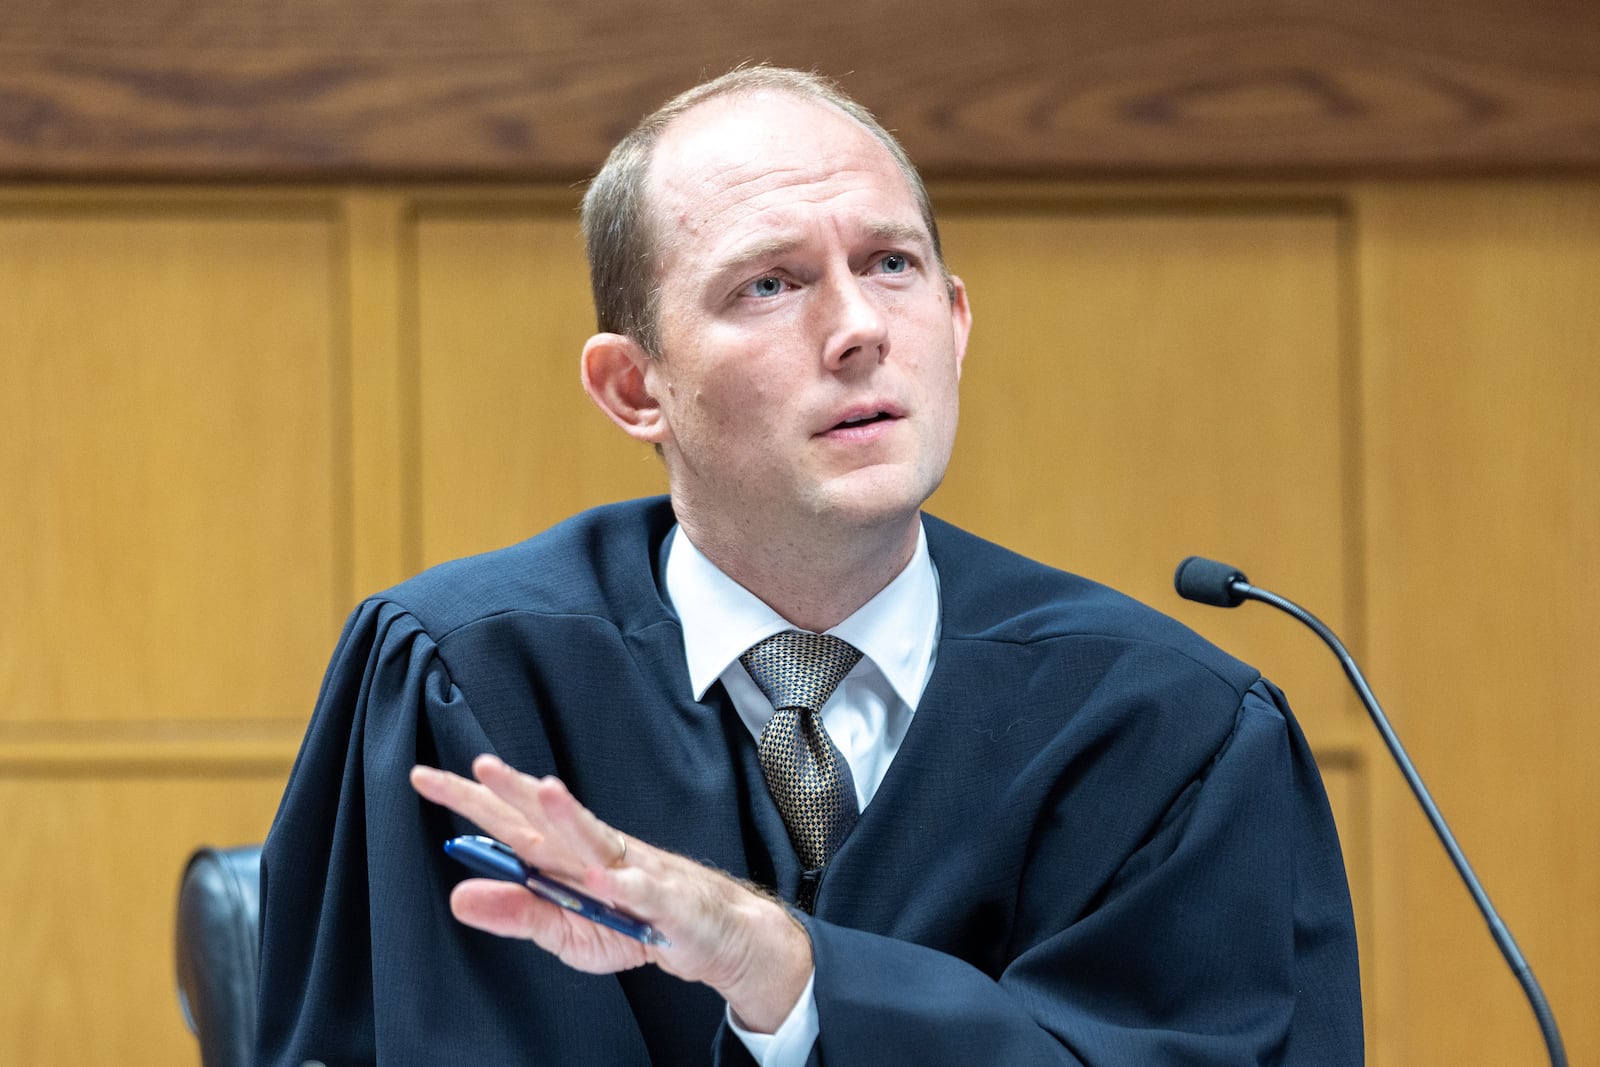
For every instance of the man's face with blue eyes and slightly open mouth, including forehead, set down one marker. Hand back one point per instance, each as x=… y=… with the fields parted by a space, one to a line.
x=810 y=342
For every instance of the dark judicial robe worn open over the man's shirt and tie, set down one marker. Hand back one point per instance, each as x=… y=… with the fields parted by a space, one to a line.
x=1103 y=841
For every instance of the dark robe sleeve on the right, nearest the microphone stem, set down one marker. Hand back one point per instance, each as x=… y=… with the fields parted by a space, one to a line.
x=1225 y=940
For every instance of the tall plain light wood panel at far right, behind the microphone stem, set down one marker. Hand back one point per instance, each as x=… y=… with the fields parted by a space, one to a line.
x=1481 y=330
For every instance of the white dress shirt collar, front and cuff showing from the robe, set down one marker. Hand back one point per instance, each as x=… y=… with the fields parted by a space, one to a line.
x=866 y=717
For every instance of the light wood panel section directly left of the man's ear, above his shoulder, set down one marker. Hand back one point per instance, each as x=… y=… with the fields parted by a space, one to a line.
x=508 y=441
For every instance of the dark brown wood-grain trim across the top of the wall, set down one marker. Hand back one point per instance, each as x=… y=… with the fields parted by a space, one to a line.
x=1009 y=89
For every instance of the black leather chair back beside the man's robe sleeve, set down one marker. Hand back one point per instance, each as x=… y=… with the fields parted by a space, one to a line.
x=218 y=951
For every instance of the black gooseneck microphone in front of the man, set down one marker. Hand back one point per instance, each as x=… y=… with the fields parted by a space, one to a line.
x=1223 y=586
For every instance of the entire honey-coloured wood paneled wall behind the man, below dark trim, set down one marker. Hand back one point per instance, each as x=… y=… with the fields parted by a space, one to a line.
x=225 y=415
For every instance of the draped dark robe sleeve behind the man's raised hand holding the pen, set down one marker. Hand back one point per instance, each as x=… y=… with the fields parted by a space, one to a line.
x=361 y=959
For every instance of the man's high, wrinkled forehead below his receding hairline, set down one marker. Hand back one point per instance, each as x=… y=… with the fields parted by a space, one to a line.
x=753 y=164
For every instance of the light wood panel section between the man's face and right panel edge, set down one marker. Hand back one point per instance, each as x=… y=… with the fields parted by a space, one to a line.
x=1154 y=380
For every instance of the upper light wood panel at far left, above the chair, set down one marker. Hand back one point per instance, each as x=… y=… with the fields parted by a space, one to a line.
x=167 y=460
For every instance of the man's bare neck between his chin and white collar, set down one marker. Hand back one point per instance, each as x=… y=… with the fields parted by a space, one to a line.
x=818 y=581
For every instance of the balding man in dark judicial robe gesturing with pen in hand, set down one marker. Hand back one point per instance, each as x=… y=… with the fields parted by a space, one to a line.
x=1076 y=833
